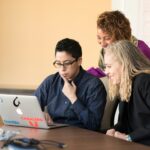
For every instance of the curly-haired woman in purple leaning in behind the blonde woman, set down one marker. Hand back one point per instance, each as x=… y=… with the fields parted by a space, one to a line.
x=113 y=26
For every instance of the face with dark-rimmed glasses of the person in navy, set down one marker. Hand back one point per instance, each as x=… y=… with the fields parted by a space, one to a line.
x=67 y=66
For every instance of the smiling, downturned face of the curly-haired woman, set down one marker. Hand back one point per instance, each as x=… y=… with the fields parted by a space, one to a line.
x=103 y=38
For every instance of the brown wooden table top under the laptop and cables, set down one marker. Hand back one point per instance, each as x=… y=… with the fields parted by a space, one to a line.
x=78 y=139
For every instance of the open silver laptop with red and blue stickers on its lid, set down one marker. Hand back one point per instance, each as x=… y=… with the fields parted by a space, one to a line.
x=23 y=110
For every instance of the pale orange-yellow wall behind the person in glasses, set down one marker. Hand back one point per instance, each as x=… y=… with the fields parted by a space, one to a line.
x=30 y=29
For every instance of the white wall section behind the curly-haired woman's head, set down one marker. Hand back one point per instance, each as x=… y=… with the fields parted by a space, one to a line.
x=138 y=12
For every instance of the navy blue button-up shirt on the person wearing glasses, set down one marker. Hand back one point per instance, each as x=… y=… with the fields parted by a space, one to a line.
x=86 y=112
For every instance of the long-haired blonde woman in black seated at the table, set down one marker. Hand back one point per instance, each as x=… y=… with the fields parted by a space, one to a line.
x=128 y=72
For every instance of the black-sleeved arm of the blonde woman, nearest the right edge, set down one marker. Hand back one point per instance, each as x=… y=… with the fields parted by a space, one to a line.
x=143 y=132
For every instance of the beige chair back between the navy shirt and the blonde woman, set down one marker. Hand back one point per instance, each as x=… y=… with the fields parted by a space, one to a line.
x=110 y=109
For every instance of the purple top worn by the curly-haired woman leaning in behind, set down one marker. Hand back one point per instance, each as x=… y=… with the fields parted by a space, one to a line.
x=98 y=72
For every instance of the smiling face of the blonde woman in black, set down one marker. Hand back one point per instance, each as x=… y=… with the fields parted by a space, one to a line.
x=113 y=68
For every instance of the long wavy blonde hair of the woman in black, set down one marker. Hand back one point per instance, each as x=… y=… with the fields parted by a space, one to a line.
x=133 y=62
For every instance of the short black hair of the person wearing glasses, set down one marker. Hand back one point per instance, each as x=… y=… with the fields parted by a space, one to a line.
x=70 y=46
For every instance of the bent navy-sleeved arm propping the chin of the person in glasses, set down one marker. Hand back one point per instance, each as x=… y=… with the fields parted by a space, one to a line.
x=91 y=113
